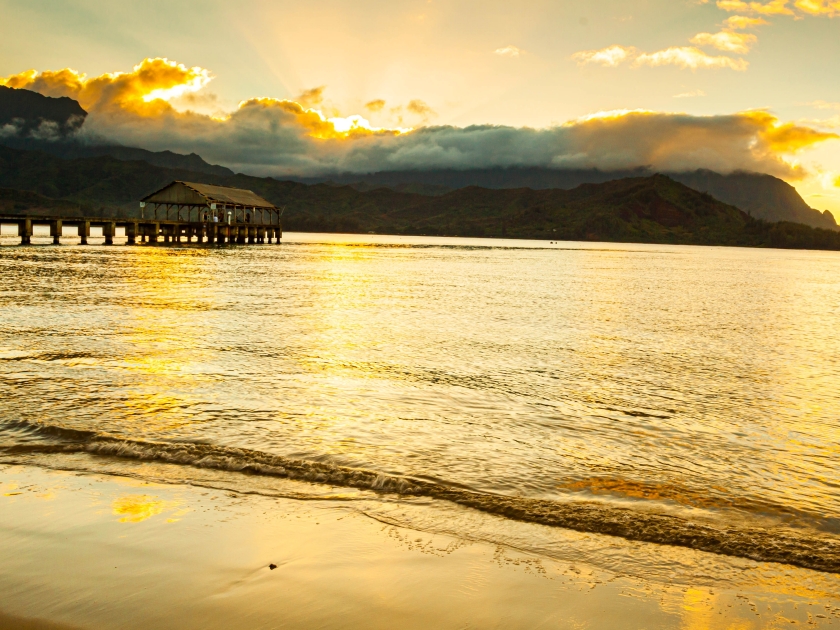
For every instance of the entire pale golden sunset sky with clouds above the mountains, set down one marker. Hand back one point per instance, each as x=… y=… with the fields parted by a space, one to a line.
x=280 y=87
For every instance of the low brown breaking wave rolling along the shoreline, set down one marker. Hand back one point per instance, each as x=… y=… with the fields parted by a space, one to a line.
x=772 y=544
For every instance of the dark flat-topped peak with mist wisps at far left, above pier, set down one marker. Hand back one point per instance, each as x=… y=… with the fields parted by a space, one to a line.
x=23 y=112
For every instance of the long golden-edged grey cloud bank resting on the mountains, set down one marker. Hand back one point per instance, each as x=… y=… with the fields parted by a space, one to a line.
x=267 y=136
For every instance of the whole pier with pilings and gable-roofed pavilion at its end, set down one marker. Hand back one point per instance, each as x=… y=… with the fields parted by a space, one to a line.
x=181 y=212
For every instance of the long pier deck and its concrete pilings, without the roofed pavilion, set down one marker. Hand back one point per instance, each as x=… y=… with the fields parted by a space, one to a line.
x=145 y=231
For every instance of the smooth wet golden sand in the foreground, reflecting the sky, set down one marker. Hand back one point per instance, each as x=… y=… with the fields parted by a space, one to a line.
x=84 y=550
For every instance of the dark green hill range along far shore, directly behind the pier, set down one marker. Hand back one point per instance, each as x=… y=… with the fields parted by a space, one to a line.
x=652 y=209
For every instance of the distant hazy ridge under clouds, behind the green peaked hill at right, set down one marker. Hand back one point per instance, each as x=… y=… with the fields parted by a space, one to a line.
x=763 y=196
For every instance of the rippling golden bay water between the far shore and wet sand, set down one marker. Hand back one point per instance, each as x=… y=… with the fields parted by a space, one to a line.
x=683 y=396
